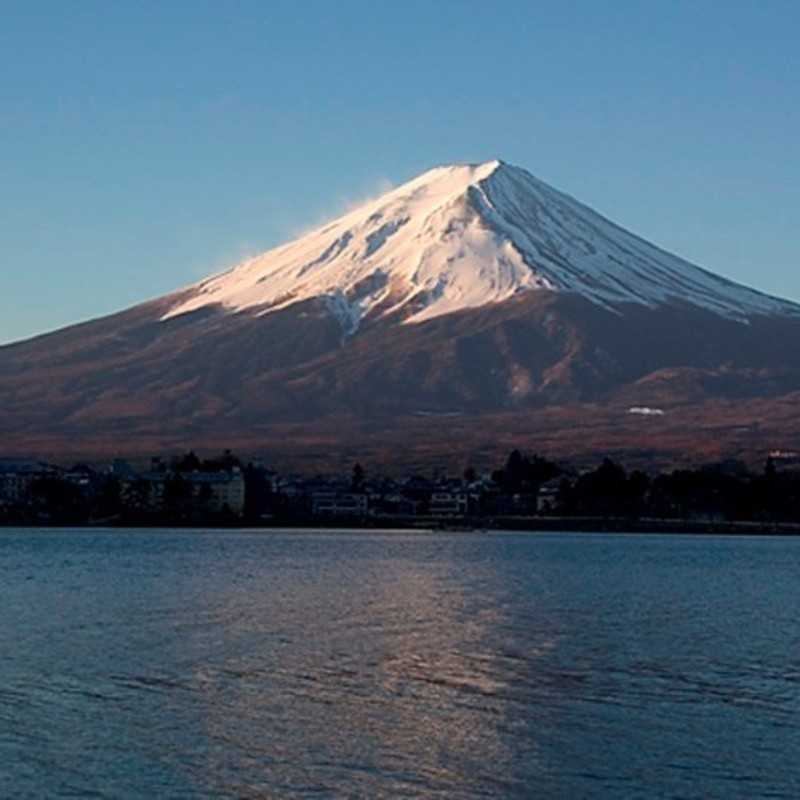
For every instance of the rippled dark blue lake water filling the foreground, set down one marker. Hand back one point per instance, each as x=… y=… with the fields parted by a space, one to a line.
x=250 y=665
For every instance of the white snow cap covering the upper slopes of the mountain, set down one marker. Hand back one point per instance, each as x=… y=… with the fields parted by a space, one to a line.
x=464 y=236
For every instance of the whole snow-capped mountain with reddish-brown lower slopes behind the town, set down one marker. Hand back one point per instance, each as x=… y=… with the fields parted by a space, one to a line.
x=471 y=309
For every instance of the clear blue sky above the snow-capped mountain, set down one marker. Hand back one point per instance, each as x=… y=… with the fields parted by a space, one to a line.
x=144 y=145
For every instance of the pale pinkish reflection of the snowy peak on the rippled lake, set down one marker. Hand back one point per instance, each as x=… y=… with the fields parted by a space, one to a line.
x=384 y=669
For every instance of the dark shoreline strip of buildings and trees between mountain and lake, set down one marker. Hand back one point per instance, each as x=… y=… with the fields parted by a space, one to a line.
x=526 y=492
